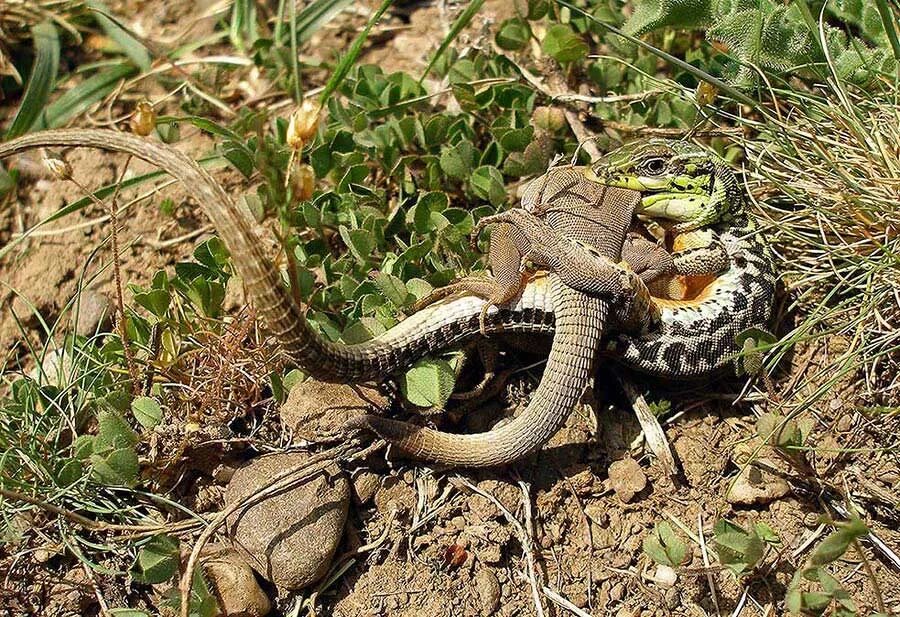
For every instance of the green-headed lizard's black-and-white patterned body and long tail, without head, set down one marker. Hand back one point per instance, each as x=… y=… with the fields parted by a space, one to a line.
x=695 y=338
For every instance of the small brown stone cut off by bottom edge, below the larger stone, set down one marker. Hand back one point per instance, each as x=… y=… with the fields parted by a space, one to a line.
x=235 y=586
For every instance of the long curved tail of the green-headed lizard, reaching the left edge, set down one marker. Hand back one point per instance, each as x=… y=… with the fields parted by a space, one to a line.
x=429 y=330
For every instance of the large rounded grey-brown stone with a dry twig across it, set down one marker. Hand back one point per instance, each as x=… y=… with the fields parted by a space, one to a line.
x=288 y=538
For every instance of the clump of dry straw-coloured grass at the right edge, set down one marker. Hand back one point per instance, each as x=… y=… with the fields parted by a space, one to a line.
x=835 y=155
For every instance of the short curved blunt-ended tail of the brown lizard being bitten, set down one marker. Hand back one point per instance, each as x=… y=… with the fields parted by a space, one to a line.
x=580 y=321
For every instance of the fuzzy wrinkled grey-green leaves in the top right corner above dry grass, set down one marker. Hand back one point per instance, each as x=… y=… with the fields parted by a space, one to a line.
x=774 y=36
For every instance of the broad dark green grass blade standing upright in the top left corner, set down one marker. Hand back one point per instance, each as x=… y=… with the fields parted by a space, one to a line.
x=41 y=81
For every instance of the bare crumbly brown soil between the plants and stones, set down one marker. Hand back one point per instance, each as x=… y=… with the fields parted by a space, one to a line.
x=441 y=547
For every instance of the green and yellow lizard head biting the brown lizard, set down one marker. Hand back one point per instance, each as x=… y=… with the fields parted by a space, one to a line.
x=678 y=181
